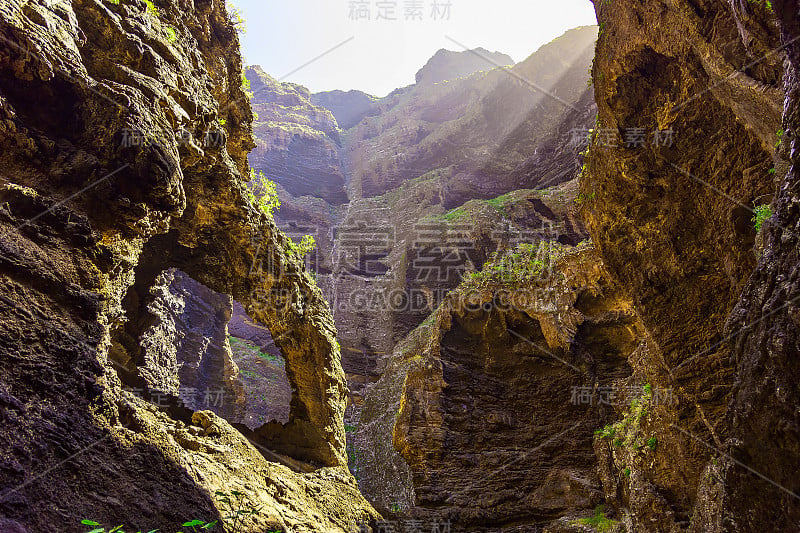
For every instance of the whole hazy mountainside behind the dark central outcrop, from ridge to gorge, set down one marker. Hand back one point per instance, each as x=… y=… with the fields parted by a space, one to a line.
x=400 y=249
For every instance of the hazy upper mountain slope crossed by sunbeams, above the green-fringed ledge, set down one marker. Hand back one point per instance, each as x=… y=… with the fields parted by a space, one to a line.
x=489 y=130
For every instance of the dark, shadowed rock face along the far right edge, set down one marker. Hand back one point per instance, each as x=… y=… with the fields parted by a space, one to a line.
x=763 y=332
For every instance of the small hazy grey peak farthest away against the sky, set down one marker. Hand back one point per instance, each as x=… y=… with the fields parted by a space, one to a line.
x=448 y=65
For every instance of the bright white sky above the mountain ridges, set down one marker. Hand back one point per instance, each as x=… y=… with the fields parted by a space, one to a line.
x=331 y=44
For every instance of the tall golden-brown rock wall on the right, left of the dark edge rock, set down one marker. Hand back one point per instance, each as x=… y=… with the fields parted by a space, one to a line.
x=689 y=102
